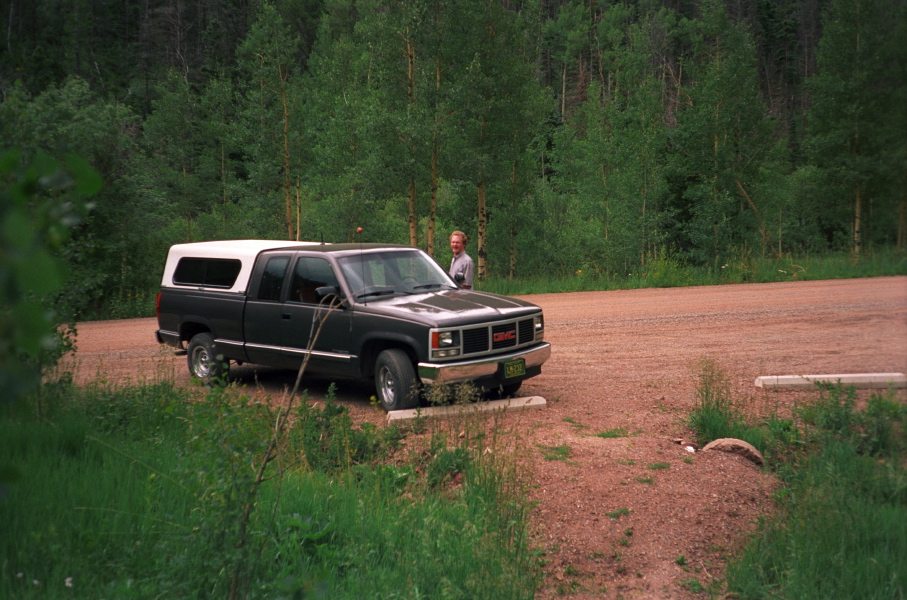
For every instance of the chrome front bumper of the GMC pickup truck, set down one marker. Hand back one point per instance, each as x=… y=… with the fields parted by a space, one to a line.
x=486 y=369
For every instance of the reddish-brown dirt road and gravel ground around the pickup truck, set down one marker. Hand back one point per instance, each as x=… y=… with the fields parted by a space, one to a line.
x=636 y=516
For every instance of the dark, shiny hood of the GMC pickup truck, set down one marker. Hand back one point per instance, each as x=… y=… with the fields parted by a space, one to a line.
x=451 y=307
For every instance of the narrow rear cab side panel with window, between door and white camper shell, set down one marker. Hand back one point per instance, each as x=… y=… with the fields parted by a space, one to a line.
x=263 y=323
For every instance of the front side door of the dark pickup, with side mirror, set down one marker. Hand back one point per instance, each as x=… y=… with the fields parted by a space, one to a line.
x=304 y=311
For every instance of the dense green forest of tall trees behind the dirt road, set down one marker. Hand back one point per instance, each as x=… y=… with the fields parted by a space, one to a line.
x=561 y=135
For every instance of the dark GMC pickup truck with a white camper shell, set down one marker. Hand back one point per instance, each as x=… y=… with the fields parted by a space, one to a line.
x=379 y=312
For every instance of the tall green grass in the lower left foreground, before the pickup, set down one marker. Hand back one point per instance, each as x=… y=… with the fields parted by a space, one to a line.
x=139 y=492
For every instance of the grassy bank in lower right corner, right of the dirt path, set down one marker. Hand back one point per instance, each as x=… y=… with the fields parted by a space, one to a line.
x=840 y=530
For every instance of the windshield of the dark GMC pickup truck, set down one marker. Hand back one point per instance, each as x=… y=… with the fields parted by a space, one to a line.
x=390 y=273
